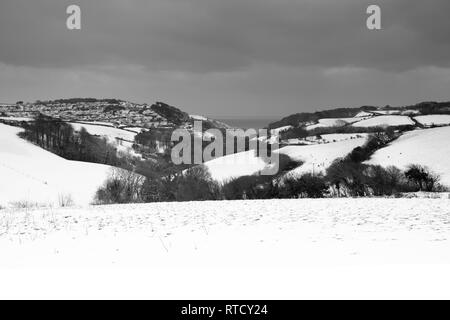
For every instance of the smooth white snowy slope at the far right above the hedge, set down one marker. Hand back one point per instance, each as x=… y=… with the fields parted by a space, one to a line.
x=429 y=147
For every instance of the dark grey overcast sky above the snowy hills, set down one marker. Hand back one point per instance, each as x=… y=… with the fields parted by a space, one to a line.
x=227 y=58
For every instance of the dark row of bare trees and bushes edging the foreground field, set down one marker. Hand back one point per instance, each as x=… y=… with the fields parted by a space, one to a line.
x=343 y=179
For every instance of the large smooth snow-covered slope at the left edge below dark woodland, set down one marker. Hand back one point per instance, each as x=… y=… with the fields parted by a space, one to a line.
x=33 y=175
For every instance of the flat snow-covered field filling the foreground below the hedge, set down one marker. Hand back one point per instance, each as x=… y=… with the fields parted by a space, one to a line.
x=324 y=248
